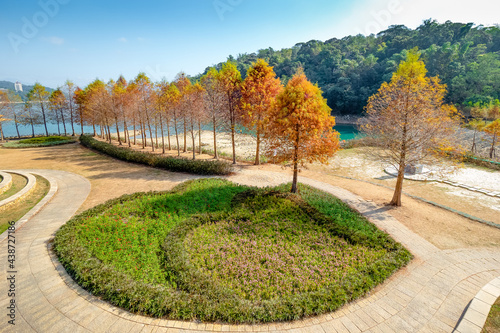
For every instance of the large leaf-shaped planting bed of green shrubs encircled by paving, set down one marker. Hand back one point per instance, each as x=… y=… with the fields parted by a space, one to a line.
x=211 y=250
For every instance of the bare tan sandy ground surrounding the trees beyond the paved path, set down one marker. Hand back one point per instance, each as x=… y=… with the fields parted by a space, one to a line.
x=111 y=178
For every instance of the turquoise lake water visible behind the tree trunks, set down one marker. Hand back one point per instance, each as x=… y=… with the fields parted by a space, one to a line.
x=347 y=132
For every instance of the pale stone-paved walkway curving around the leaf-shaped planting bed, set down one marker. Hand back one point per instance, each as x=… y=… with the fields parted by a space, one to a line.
x=429 y=295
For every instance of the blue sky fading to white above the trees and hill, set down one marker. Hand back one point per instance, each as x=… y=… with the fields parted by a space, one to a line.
x=50 y=41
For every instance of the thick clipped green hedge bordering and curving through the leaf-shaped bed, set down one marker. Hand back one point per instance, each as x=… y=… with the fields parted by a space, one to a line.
x=188 y=293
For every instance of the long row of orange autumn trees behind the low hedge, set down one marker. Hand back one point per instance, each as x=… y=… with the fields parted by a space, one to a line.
x=294 y=121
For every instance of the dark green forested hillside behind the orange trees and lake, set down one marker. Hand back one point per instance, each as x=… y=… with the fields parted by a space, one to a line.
x=351 y=69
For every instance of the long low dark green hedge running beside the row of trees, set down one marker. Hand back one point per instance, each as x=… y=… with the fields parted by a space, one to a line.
x=198 y=167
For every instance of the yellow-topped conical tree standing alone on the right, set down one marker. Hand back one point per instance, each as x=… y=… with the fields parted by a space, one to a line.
x=407 y=119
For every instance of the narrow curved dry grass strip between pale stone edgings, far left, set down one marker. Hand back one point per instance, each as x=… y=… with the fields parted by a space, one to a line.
x=19 y=209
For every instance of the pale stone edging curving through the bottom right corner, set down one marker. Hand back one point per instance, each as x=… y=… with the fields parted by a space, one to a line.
x=477 y=311
